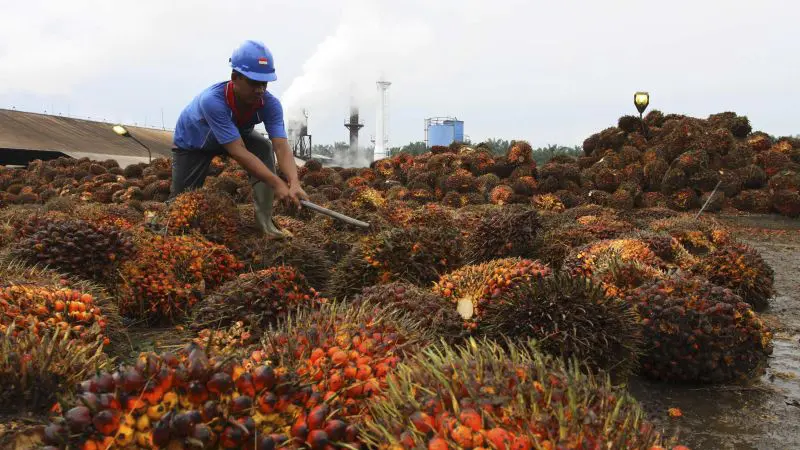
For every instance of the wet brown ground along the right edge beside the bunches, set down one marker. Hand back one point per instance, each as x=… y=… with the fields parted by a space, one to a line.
x=764 y=414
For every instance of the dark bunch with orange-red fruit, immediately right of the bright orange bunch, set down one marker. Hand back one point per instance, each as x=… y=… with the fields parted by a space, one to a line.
x=257 y=298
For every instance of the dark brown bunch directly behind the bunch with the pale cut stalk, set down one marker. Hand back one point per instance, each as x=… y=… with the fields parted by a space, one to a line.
x=504 y=232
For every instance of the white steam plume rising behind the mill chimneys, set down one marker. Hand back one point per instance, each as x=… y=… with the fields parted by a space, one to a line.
x=368 y=43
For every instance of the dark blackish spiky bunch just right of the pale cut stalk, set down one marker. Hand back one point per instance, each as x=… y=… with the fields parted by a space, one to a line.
x=569 y=316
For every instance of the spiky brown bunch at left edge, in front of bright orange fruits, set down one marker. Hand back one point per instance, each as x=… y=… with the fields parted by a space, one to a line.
x=37 y=365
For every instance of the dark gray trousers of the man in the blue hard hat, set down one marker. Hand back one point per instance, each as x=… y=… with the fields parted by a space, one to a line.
x=190 y=167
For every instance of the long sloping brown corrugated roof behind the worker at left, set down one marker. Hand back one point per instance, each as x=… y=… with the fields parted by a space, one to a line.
x=31 y=131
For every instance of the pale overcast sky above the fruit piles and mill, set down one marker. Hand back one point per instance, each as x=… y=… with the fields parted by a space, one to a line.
x=549 y=72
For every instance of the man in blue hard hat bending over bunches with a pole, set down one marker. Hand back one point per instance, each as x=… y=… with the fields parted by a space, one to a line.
x=222 y=119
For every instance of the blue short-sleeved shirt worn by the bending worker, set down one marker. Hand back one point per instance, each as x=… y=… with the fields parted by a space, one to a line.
x=208 y=121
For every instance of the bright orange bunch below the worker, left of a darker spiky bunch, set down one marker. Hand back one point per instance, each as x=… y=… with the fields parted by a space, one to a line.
x=170 y=274
